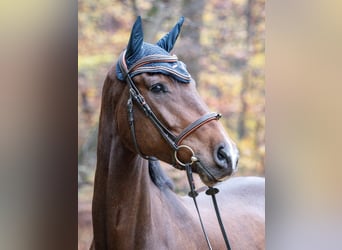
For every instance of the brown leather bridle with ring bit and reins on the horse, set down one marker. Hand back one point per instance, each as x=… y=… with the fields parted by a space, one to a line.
x=173 y=140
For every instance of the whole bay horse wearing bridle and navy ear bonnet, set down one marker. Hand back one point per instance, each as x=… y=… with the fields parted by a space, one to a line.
x=151 y=111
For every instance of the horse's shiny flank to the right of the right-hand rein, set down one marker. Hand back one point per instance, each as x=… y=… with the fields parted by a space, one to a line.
x=243 y=202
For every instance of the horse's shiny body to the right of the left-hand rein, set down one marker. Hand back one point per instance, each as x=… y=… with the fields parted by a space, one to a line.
x=241 y=201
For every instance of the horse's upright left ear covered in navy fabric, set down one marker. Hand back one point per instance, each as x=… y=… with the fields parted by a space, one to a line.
x=136 y=40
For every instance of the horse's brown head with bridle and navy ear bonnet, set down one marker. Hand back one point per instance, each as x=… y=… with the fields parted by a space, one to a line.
x=161 y=115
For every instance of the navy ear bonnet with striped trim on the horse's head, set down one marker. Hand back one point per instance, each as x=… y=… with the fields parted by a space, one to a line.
x=141 y=57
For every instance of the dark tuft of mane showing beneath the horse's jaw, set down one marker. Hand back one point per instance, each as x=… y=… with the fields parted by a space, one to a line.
x=158 y=176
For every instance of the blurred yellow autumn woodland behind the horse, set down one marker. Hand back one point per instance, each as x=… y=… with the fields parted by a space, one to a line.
x=222 y=43
